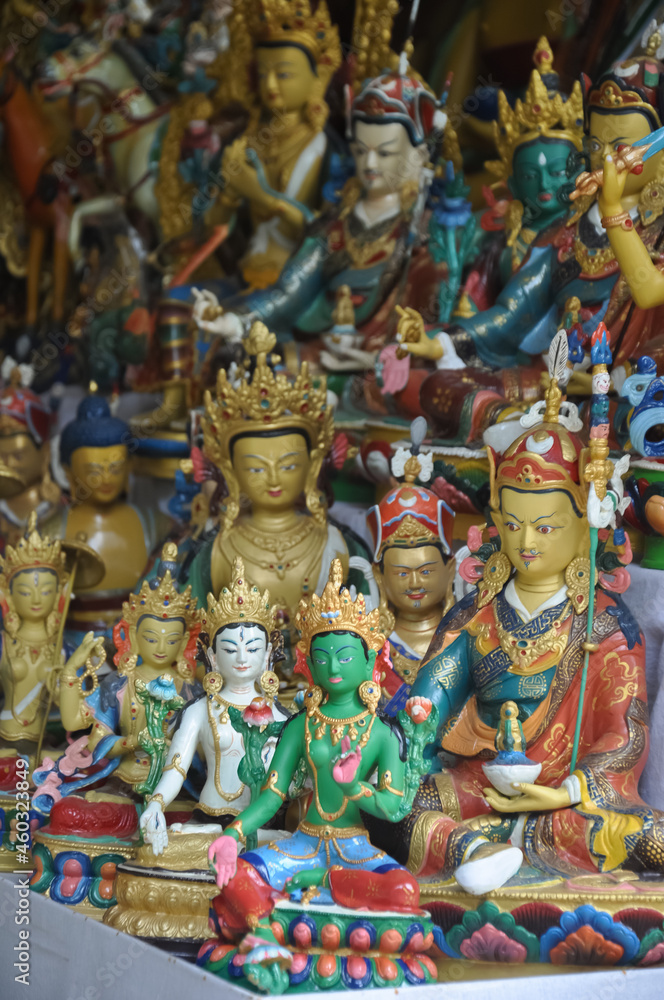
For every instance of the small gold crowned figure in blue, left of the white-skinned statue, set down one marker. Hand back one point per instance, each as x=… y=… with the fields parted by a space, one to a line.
x=155 y=640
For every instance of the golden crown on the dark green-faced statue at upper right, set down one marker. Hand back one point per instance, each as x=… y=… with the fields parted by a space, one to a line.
x=541 y=114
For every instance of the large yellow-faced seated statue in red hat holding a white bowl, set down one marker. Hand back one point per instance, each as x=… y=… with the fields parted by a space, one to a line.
x=520 y=637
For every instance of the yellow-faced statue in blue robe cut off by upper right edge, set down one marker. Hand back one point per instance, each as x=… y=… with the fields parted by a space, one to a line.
x=592 y=256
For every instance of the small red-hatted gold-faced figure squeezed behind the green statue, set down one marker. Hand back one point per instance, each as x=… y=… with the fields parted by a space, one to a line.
x=412 y=534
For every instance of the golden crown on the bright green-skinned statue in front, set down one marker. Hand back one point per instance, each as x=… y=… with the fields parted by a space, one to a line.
x=336 y=610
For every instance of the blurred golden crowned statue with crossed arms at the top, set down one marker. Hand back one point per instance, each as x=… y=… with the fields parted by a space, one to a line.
x=278 y=64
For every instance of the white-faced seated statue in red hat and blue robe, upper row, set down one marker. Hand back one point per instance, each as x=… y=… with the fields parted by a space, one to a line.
x=365 y=243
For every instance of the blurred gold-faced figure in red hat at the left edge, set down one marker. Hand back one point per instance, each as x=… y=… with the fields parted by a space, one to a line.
x=26 y=423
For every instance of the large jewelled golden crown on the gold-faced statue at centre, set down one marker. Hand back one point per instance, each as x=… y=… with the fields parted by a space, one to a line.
x=265 y=402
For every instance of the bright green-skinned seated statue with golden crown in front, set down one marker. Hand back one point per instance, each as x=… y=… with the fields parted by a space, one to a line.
x=344 y=741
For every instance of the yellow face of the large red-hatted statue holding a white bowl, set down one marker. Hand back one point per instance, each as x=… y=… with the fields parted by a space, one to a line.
x=540 y=532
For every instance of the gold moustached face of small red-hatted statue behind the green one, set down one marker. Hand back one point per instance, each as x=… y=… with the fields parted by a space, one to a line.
x=416 y=579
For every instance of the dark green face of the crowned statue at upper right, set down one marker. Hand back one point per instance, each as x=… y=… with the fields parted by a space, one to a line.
x=539 y=170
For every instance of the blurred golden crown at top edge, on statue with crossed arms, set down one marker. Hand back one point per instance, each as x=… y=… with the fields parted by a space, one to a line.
x=292 y=22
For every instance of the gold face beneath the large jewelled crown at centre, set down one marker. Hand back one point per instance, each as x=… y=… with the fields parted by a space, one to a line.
x=272 y=471
